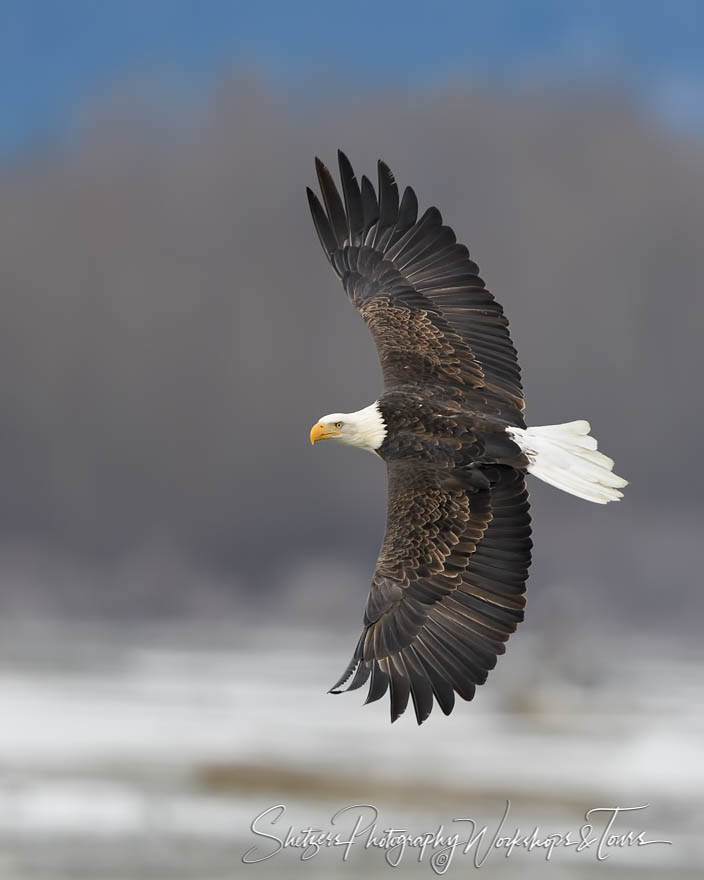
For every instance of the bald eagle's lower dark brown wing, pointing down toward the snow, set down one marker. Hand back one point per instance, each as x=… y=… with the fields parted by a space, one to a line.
x=448 y=588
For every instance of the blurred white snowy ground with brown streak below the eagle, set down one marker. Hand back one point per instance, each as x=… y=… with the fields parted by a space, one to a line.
x=143 y=754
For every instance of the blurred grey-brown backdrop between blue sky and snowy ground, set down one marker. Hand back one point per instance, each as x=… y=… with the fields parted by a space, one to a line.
x=169 y=330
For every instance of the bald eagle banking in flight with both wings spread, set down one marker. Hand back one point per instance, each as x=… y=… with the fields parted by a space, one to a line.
x=449 y=584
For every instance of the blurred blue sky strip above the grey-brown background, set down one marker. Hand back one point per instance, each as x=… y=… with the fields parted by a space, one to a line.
x=56 y=54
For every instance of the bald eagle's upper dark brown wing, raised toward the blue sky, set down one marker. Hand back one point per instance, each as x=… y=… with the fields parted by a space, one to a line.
x=418 y=291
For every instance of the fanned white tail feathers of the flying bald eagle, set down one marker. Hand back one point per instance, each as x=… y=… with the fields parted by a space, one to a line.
x=566 y=457
